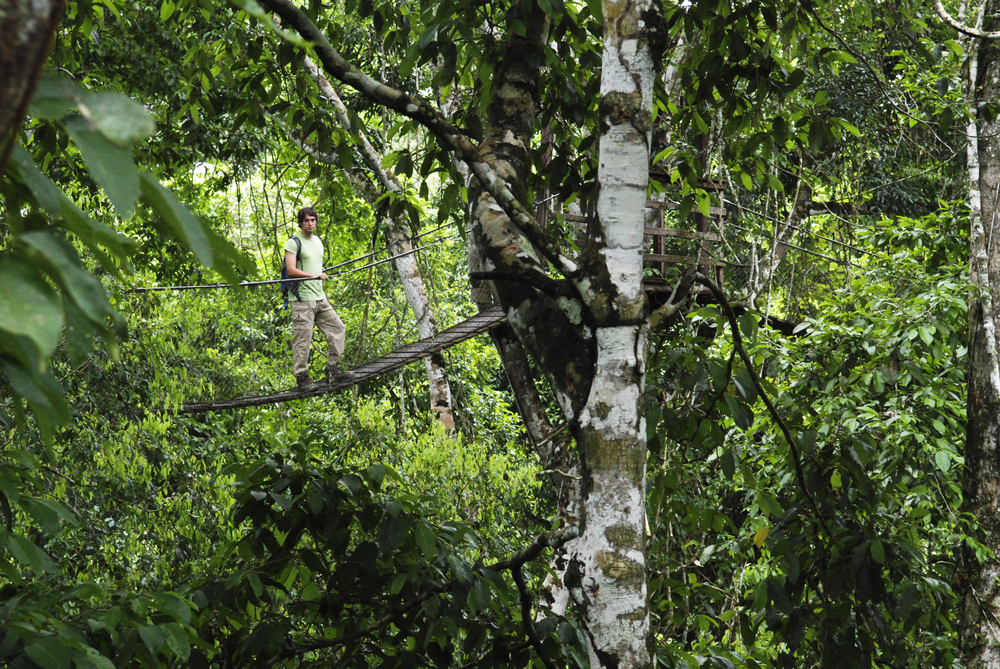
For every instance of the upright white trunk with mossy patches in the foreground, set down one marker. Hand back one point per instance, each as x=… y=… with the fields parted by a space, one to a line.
x=607 y=574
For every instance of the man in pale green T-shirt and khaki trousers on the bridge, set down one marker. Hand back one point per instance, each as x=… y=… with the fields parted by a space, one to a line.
x=310 y=306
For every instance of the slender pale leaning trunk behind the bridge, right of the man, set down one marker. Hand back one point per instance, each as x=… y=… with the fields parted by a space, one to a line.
x=398 y=239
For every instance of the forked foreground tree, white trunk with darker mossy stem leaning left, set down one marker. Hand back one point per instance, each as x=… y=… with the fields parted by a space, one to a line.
x=588 y=336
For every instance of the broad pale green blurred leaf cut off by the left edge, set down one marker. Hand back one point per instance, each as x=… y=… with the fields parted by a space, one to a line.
x=28 y=306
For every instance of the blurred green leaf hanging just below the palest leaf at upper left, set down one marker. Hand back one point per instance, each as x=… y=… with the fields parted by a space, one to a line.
x=110 y=164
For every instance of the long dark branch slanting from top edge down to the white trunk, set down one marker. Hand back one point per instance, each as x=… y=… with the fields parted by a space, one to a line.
x=422 y=112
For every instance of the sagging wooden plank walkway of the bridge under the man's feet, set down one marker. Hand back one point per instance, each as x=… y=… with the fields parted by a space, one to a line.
x=401 y=357
